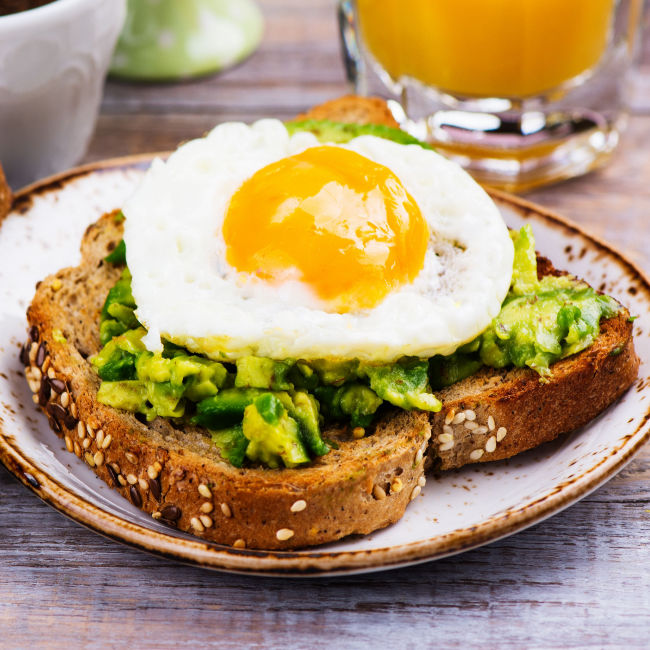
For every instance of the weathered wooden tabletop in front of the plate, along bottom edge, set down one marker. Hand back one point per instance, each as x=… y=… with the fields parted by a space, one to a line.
x=575 y=580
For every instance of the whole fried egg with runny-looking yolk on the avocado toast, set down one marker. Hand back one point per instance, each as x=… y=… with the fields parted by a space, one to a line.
x=252 y=241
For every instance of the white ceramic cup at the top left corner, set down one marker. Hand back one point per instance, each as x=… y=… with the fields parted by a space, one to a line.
x=53 y=62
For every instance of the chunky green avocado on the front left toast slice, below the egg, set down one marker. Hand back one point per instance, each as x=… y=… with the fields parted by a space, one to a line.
x=234 y=401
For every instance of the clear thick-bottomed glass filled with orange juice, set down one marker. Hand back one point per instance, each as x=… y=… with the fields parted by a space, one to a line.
x=520 y=92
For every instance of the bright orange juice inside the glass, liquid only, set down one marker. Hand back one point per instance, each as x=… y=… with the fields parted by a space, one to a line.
x=486 y=48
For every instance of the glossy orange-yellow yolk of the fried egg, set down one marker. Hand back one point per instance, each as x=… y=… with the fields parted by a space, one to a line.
x=332 y=219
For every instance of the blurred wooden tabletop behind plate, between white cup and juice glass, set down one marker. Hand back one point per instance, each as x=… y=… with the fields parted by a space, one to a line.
x=298 y=64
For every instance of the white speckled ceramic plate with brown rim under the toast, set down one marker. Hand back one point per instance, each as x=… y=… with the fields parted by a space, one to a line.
x=457 y=510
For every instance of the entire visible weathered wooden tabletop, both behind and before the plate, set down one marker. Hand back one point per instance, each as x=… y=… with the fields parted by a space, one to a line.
x=580 y=579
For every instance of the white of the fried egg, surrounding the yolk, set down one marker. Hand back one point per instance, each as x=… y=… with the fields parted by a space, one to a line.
x=187 y=293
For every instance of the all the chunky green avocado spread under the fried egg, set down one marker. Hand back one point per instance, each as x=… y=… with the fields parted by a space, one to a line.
x=271 y=412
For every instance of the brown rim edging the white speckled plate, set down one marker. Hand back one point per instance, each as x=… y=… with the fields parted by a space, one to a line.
x=314 y=562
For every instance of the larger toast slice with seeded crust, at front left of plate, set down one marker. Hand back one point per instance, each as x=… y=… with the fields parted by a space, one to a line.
x=177 y=475
